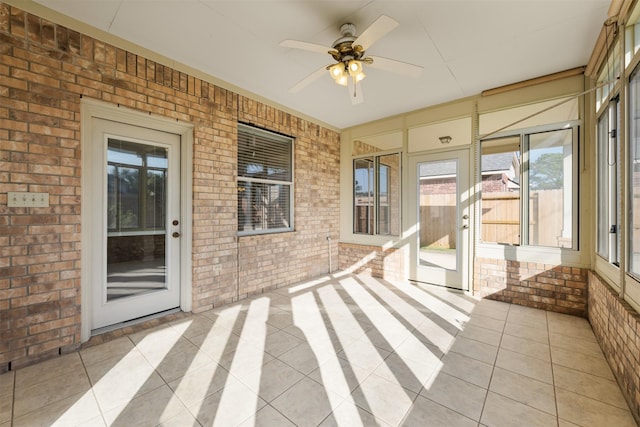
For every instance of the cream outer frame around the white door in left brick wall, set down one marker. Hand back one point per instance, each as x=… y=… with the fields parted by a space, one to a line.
x=90 y=109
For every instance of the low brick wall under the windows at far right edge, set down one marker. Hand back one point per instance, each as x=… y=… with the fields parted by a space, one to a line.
x=617 y=329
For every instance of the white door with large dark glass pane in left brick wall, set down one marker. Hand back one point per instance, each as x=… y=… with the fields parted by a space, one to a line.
x=135 y=193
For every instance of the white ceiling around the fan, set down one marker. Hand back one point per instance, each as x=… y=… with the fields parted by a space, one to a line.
x=465 y=46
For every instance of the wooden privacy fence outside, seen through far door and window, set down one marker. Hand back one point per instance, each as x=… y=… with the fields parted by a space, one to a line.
x=500 y=218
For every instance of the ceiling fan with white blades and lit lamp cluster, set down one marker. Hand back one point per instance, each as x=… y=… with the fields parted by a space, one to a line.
x=349 y=53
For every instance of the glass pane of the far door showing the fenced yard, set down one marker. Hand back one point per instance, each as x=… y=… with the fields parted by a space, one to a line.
x=438 y=213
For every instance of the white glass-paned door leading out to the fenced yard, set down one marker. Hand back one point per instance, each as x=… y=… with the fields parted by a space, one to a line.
x=439 y=205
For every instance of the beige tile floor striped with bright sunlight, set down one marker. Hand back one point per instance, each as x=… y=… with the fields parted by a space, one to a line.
x=342 y=350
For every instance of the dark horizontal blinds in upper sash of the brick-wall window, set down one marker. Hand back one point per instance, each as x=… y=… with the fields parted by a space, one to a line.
x=264 y=155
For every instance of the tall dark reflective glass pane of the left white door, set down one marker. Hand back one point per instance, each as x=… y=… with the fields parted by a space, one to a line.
x=136 y=218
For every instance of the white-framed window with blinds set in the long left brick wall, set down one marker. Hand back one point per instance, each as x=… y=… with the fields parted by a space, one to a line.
x=265 y=181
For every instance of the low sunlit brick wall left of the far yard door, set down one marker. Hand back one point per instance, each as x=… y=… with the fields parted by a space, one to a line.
x=373 y=260
